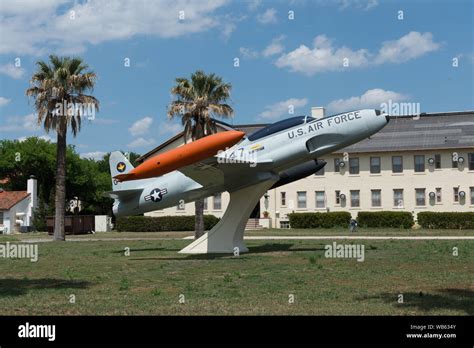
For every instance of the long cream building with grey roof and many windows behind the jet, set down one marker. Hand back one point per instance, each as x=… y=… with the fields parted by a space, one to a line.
x=423 y=163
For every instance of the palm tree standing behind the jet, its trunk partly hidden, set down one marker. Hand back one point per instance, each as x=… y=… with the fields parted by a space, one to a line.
x=198 y=100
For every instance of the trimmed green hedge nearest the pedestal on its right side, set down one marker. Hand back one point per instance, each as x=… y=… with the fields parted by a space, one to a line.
x=320 y=220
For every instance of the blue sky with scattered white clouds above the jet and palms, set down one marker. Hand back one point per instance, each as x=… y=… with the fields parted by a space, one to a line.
x=283 y=60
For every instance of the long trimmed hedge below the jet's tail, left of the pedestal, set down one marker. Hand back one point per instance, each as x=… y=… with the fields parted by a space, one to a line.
x=161 y=223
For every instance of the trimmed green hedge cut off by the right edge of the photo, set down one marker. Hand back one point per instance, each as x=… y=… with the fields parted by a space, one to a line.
x=446 y=220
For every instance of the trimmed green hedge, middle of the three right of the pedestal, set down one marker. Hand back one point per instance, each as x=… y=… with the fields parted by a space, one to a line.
x=394 y=219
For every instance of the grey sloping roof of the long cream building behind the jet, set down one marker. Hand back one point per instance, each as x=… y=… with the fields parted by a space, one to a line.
x=429 y=131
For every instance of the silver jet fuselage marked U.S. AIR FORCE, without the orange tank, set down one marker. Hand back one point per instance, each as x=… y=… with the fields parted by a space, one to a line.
x=280 y=150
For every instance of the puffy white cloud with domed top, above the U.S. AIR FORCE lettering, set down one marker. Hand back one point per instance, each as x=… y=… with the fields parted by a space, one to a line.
x=322 y=57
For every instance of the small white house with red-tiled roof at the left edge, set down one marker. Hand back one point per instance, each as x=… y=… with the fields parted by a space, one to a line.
x=17 y=207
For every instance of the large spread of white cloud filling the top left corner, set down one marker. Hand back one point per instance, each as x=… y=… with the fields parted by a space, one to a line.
x=66 y=26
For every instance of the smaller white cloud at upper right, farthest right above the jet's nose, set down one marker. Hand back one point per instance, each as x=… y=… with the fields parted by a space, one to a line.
x=410 y=46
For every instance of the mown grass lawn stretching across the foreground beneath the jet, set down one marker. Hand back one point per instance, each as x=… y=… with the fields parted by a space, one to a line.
x=152 y=278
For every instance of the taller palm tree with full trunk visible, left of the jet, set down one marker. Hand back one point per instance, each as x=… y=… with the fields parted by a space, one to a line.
x=58 y=88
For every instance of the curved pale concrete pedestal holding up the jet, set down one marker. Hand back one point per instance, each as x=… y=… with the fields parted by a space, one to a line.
x=228 y=234
